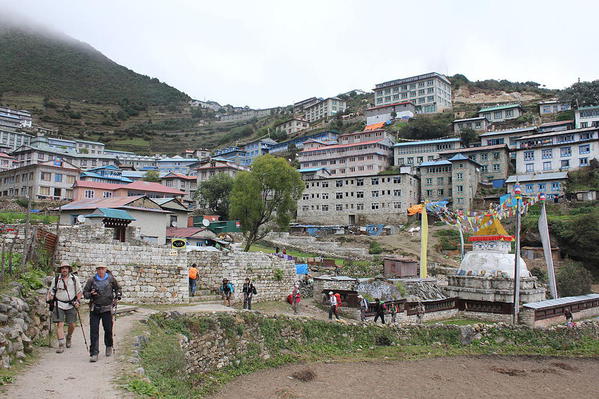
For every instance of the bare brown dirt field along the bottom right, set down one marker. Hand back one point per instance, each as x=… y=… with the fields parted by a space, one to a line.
x=461 y=377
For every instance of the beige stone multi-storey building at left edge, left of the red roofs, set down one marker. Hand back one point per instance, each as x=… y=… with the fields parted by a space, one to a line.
x=51 y=179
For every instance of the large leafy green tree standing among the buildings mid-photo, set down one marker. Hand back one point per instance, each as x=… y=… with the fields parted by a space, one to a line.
x=264 y=196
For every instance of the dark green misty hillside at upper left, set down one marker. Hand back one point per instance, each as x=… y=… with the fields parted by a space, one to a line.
x=53 y=64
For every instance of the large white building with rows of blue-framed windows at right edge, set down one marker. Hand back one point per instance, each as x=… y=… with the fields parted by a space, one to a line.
x=557 y=151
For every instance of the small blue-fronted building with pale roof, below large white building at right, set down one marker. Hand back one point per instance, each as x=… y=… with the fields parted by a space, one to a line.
x=551 y=184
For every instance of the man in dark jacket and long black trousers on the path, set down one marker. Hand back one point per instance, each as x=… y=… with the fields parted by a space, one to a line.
x=103 y=291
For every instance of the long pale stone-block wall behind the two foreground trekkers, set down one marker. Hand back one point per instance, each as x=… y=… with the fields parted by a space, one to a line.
x=158 y=274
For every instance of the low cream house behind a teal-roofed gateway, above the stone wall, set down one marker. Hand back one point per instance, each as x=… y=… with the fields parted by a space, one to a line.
x=135 y=211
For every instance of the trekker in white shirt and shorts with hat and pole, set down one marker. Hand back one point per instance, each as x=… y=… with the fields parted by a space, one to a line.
x=64 y=297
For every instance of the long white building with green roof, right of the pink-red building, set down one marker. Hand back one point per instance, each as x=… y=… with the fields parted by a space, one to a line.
x=413 y=153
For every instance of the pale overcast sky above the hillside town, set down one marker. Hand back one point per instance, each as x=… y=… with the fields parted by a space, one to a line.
x=269 y=53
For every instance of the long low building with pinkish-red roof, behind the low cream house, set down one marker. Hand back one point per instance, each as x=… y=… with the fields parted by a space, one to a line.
x=89 y=189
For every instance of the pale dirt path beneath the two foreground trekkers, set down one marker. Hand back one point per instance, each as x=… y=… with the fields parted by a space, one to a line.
x=70 y=375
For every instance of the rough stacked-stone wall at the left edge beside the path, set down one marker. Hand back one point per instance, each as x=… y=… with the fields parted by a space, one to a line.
x=22 y=321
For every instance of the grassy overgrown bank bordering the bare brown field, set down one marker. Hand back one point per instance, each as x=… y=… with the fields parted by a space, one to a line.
x=165 y=365
